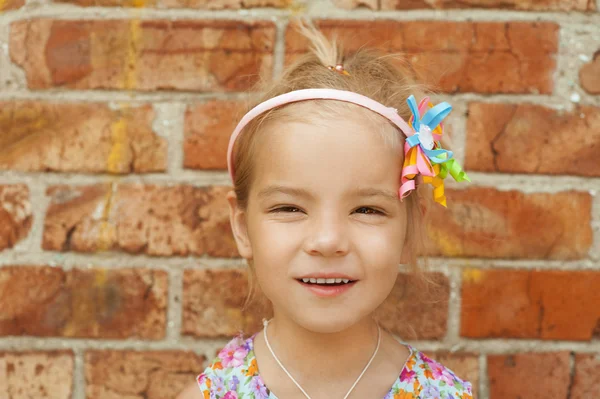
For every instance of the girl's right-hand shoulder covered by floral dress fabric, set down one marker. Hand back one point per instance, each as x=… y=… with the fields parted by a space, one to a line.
x=423 y=377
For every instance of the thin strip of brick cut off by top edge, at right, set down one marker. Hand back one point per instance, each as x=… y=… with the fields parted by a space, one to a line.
x=530 y=5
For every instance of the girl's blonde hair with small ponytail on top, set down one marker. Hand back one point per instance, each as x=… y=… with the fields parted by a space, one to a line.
x=384 y=78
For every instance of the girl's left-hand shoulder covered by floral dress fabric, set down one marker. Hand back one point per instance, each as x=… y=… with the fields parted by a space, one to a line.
x=233 y=372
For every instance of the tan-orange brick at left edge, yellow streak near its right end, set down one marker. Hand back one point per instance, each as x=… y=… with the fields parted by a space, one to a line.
x=91 y=138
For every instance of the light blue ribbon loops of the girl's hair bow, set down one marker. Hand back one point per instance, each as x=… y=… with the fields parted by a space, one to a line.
x=432 y=118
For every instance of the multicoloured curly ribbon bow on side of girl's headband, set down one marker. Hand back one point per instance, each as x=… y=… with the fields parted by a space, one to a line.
x=423 y=152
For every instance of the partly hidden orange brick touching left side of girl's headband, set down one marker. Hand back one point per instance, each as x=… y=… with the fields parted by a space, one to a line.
x=207 y=130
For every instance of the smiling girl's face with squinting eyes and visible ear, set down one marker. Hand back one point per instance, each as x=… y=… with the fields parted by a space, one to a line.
x=324 y=200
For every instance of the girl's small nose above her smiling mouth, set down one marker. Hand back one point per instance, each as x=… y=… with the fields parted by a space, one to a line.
x=328 y=237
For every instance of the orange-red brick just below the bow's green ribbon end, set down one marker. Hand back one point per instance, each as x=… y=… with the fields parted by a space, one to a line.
x=488 y=223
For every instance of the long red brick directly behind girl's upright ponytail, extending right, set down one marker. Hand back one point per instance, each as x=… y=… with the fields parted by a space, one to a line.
x=484 y=57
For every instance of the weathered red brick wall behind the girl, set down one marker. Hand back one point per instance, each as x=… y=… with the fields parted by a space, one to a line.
x=114 y=234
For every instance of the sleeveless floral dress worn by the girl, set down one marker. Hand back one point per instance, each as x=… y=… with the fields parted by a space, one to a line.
x=234 y=375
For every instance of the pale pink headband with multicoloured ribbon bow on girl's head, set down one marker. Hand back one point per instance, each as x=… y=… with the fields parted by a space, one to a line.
x=420 y=151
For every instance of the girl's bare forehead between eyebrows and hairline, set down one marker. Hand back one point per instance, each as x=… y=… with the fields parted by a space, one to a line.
x=335 y=154
